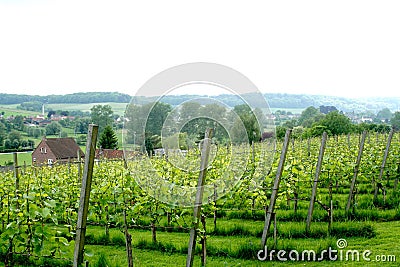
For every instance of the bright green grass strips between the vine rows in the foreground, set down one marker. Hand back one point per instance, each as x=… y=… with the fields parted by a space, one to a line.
x=223 y=251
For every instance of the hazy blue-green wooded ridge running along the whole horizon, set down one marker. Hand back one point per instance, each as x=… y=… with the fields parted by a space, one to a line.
x=275 y=100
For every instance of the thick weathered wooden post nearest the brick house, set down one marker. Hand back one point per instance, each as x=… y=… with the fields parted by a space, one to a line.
x=85 y=194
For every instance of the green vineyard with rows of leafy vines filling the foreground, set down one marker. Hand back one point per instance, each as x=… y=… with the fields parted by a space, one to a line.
x=355 y=192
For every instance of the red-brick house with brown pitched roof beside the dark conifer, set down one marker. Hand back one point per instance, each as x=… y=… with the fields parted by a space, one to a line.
x=53 y=150
